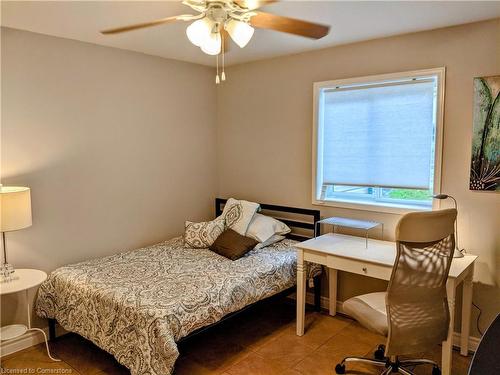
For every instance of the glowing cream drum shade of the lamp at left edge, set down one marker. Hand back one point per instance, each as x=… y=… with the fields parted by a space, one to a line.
x=15 y=207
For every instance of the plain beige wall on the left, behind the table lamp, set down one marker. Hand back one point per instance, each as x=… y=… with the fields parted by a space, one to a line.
x=118 y=148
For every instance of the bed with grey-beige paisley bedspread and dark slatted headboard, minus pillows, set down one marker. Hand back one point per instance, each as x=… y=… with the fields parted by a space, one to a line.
x=137 y=305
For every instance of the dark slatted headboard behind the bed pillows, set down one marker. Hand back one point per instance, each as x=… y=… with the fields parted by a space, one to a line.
x=305 y=221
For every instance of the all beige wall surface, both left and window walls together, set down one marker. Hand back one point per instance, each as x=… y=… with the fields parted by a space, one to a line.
x=119 y=147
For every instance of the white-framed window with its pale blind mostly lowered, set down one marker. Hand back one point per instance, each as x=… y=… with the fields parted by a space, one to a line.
x=377 y=141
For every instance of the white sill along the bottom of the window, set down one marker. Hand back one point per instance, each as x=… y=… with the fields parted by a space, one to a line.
x=391 y=208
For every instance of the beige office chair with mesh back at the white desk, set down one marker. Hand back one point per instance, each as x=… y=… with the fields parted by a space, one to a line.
x=413 y=313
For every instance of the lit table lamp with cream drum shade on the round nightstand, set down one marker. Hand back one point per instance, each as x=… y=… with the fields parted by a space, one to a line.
x=15 y=214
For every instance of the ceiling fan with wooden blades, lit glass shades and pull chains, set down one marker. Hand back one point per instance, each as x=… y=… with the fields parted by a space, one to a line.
x=237 y=18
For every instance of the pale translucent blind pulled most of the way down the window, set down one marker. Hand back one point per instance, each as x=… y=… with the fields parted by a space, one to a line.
x=379 y=135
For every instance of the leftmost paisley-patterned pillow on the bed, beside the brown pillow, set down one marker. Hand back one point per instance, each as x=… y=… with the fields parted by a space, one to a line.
x=202 y=235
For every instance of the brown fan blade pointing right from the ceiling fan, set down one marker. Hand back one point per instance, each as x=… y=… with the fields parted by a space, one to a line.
x=289 y=25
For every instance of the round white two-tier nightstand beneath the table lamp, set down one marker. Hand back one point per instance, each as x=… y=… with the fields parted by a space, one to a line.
x=26 y=279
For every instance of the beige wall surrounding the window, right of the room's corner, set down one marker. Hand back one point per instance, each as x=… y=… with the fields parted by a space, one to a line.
x=265 y=133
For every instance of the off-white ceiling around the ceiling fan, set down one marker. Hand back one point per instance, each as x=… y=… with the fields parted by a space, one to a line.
x=350 y=22
